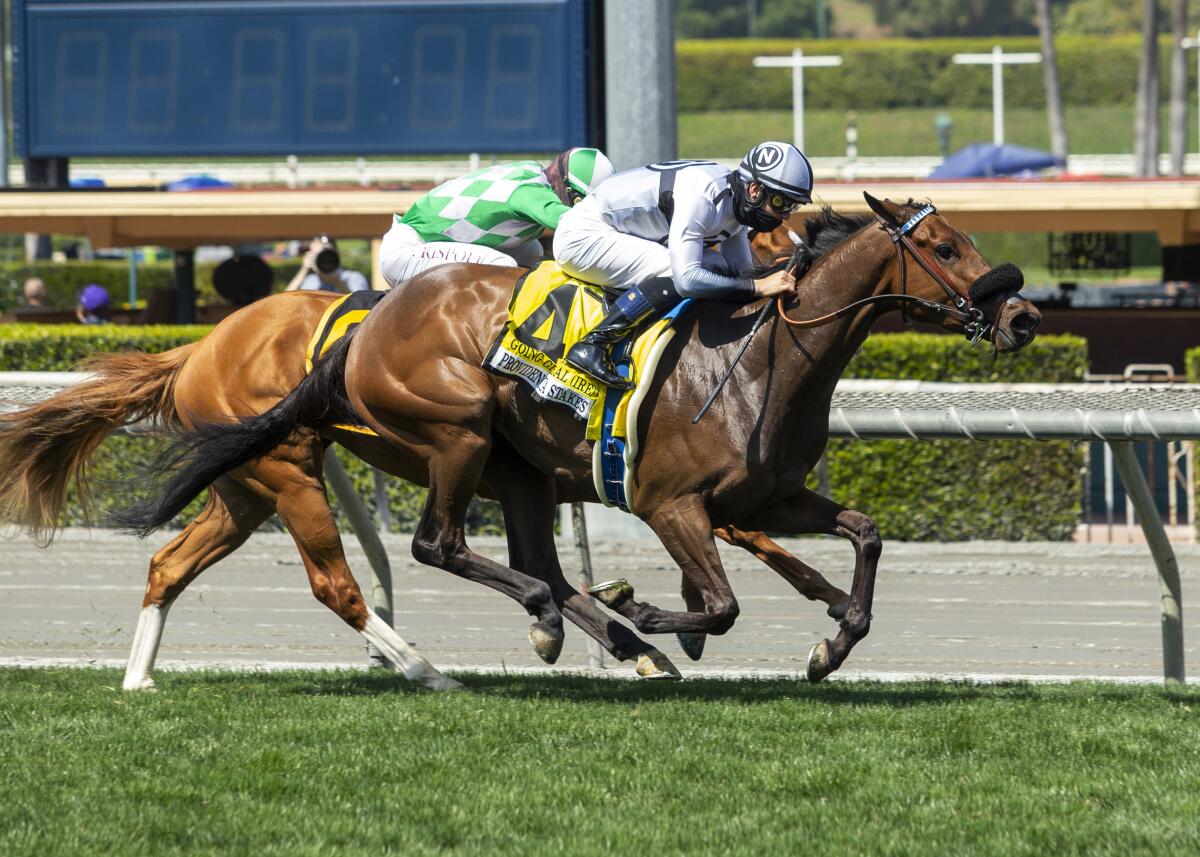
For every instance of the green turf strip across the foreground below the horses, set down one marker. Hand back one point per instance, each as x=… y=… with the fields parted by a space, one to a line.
x=317 y=764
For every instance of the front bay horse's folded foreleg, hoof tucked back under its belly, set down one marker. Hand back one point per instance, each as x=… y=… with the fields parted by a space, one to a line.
x=687 y=532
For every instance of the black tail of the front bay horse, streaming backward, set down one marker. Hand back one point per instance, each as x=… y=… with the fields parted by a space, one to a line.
x=197 y=459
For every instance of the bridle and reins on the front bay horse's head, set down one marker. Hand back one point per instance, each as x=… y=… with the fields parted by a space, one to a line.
x=975 y=323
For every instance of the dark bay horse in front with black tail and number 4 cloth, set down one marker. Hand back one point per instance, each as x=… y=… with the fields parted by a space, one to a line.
x=413 y=374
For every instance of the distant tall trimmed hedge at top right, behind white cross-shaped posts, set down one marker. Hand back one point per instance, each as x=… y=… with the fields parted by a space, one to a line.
x=718 y=75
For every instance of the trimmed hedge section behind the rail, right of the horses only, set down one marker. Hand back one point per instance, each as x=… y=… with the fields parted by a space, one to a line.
x=958 y=490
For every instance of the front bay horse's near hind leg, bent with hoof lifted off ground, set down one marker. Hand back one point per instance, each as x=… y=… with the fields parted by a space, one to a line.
x=455 y=468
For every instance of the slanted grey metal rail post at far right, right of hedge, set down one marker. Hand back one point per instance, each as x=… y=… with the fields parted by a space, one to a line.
x=1165 y=559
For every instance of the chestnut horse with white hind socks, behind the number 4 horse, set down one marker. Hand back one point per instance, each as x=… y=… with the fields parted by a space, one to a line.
x=244 y=367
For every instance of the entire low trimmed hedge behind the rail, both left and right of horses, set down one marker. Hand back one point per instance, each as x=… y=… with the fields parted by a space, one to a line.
x=944 y=490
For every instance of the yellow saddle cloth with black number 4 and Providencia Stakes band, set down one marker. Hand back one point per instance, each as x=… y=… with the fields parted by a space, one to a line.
x=550 y=311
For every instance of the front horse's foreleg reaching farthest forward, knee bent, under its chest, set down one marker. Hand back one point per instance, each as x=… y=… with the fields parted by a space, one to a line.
x=812 y=513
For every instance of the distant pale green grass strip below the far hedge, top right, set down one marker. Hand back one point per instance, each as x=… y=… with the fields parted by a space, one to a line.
x=902 y=133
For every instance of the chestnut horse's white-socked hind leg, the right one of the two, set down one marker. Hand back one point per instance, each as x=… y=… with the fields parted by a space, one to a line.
x=304 y=508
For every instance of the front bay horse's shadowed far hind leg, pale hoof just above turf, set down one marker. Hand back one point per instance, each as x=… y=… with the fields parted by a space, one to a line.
x=529 y=501
